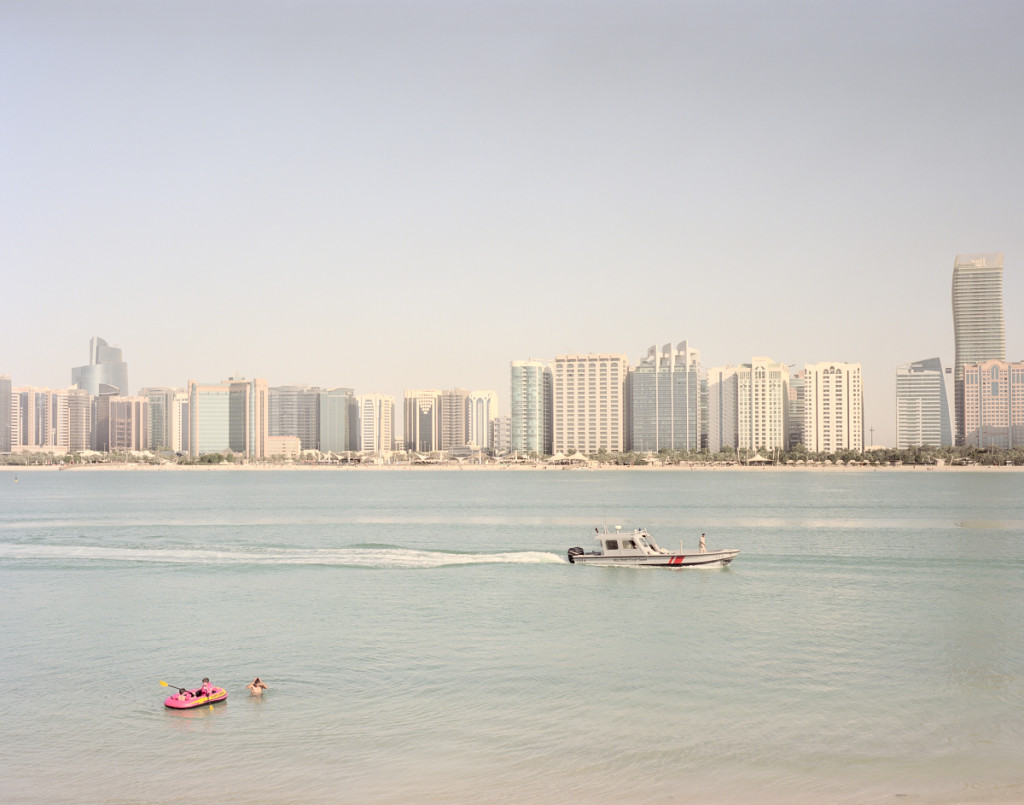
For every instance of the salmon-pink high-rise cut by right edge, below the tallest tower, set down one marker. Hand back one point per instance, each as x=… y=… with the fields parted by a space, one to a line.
x=994 y=405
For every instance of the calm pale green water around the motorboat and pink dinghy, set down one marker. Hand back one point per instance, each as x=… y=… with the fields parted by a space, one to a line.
x=425 y=641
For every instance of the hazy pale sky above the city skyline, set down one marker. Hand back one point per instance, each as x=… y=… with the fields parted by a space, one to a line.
x=394 y=196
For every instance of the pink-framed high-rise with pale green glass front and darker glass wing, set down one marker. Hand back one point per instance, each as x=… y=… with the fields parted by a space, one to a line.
x=229 y=416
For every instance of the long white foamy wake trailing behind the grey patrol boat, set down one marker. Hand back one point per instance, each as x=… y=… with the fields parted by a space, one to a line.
x=379 y=557
